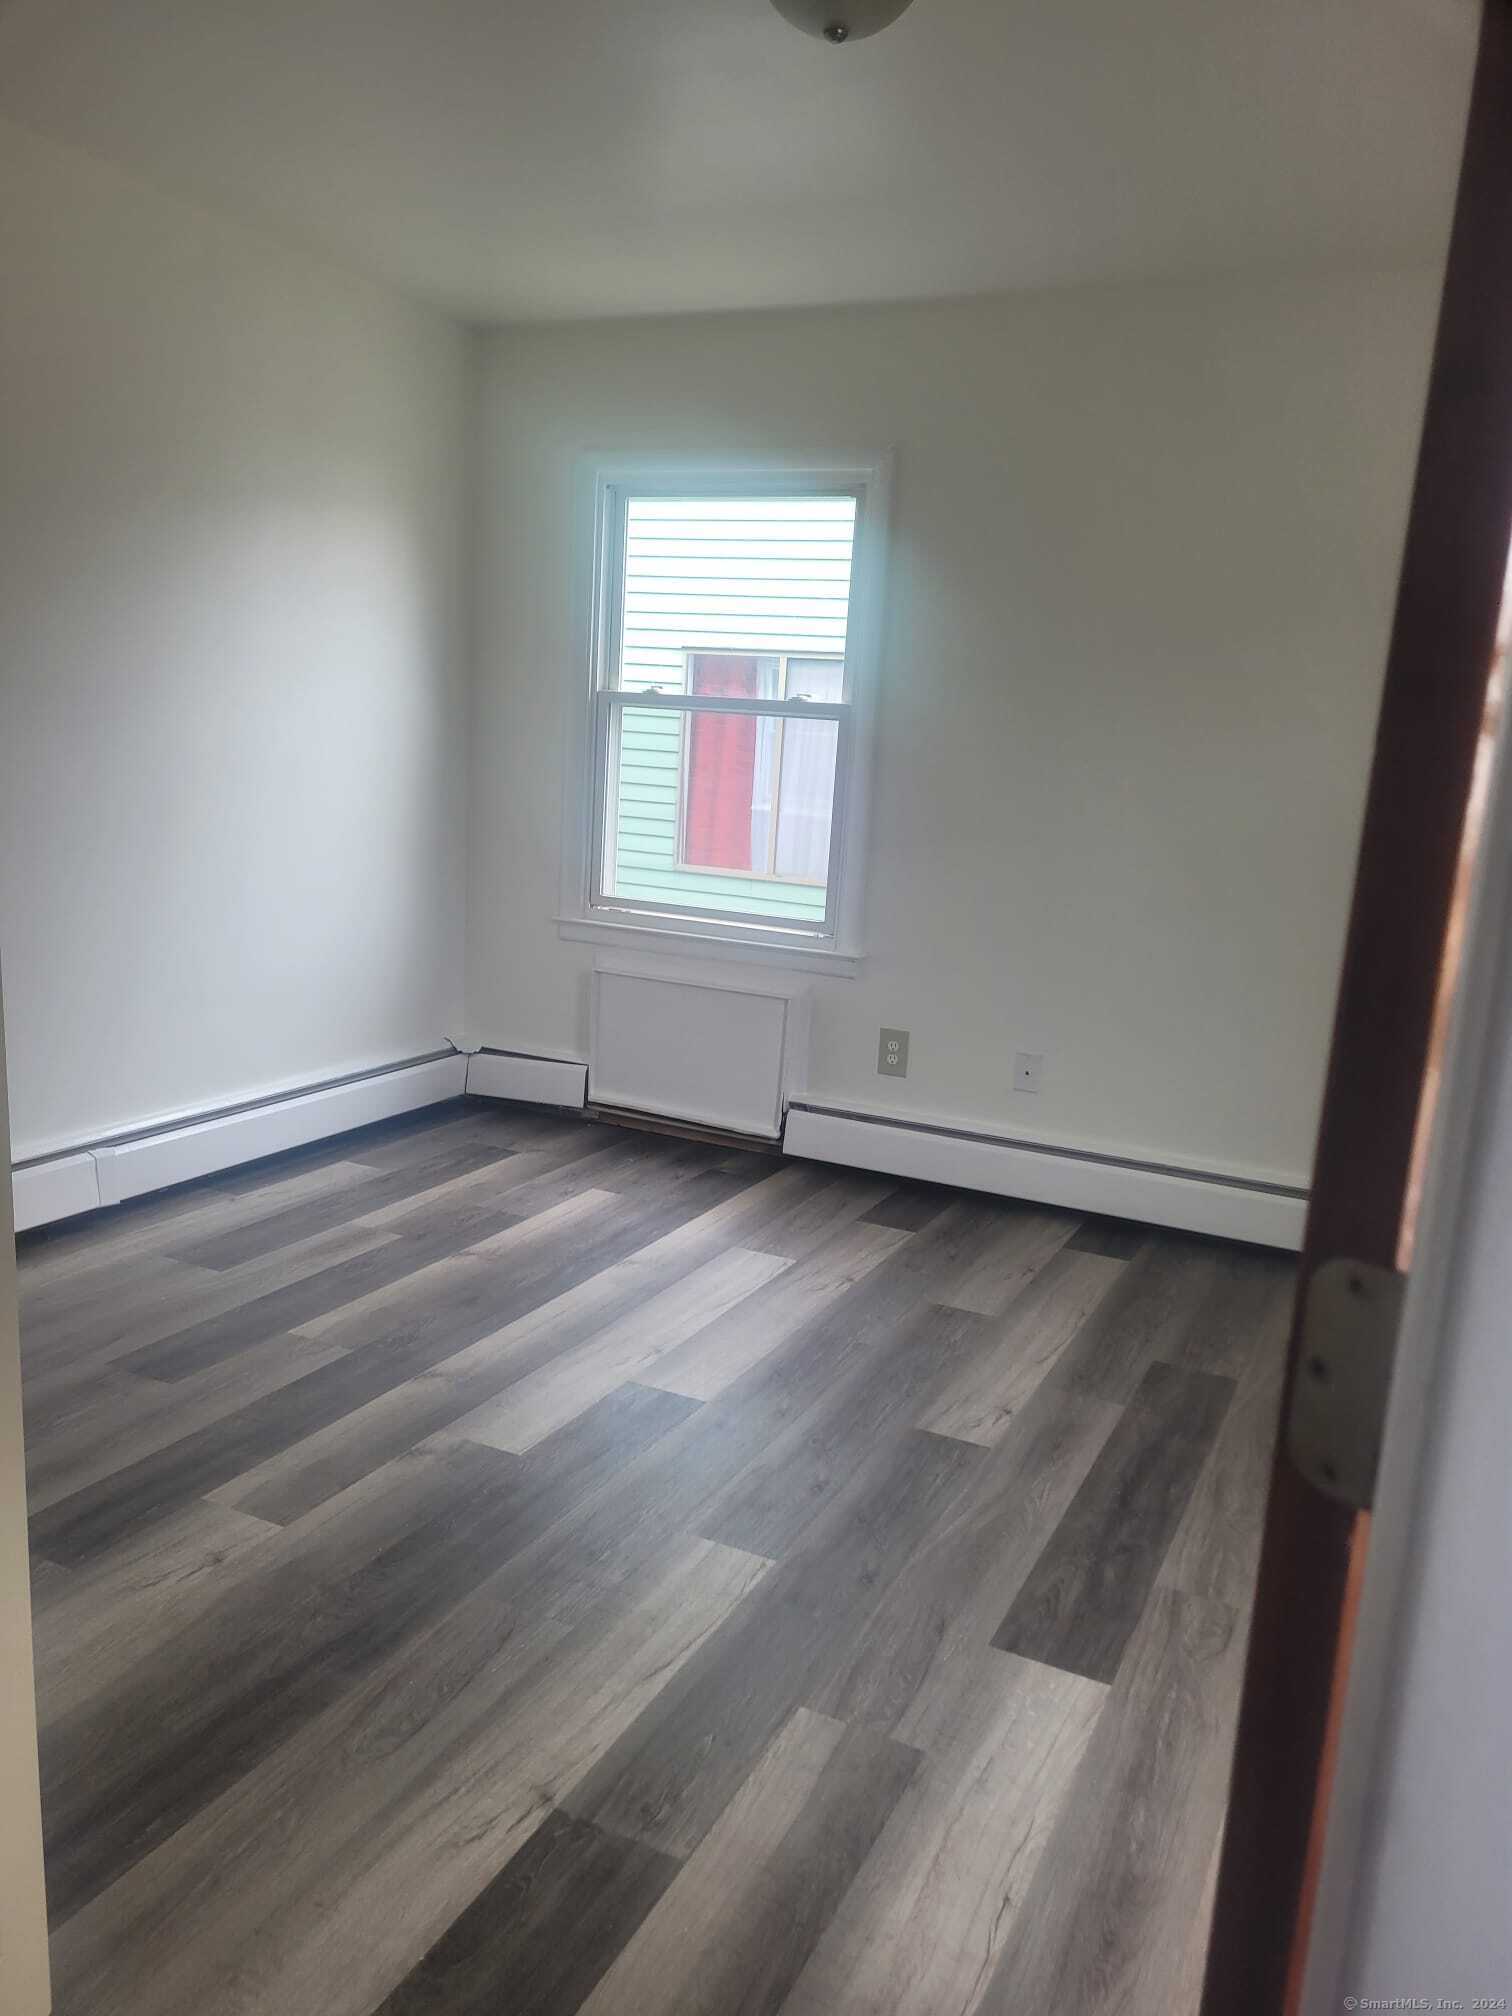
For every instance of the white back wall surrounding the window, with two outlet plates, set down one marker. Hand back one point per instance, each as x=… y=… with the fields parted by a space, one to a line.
x=1144 y=559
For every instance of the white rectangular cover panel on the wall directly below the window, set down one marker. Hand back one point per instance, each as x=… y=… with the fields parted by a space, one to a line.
x=723 y=1047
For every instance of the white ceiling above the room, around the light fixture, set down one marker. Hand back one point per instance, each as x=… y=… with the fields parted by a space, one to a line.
x=551 y=158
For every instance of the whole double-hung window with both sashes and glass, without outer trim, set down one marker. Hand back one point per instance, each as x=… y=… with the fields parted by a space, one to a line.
x=729 y=684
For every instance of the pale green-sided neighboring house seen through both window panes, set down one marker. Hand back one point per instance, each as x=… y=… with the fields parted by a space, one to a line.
x=733 y=600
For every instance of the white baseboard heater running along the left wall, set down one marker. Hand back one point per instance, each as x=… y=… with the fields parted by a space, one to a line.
x=110 y=1172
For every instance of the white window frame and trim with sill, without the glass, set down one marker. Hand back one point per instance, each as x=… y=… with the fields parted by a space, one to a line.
x=604 y=489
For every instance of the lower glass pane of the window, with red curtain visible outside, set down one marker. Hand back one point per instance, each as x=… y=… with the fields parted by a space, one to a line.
x=721 y=813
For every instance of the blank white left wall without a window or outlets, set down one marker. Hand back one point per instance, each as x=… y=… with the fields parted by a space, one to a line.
x=233 y=658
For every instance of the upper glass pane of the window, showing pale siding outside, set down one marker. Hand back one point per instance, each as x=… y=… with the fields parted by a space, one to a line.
x=733 y=578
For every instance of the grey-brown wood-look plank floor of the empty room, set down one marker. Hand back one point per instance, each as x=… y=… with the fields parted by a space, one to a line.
x=501 y=1561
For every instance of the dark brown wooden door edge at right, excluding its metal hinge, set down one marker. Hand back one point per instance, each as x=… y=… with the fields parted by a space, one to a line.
x=1432 y=711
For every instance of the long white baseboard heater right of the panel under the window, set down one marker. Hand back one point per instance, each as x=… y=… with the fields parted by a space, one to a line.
x=1108 y=1186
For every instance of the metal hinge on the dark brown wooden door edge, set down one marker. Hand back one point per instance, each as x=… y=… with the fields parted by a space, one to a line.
x=1344 y=1374
